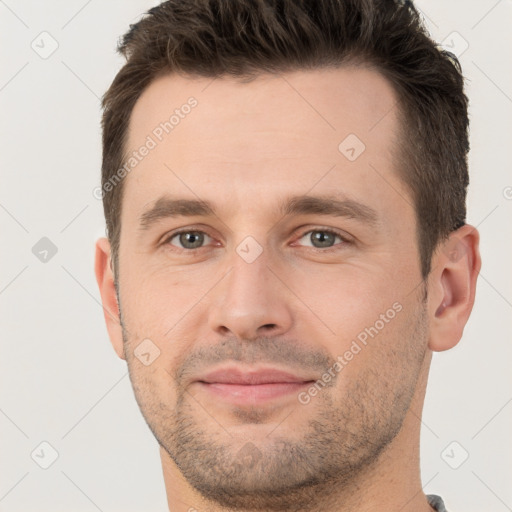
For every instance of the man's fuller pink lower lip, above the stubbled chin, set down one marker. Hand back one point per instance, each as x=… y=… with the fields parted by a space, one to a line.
x=252 y=393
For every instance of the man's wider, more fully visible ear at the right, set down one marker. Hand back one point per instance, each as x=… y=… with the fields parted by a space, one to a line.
x=452 y=285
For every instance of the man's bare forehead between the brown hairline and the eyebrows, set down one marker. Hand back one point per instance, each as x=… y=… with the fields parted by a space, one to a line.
x=282 y=133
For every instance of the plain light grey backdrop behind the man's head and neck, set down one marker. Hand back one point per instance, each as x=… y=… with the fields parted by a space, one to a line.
x=60 y=380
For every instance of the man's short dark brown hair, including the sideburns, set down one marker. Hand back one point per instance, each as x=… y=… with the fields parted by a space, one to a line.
x=244 y=38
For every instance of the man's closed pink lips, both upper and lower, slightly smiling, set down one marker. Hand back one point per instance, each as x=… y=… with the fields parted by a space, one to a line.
x=252 y=387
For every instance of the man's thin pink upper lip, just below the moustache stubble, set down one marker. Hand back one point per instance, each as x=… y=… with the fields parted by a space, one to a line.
x=250 y=376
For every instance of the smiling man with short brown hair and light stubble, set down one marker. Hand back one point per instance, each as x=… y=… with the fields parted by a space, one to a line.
x=284 y=190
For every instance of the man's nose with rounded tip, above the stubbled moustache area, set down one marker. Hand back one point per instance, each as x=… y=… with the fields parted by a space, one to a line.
x=250 y=301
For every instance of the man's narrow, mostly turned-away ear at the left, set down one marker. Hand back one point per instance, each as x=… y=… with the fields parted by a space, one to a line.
x=105 y=279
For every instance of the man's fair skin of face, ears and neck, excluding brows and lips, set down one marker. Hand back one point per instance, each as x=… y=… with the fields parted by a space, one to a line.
x=247 y=147
